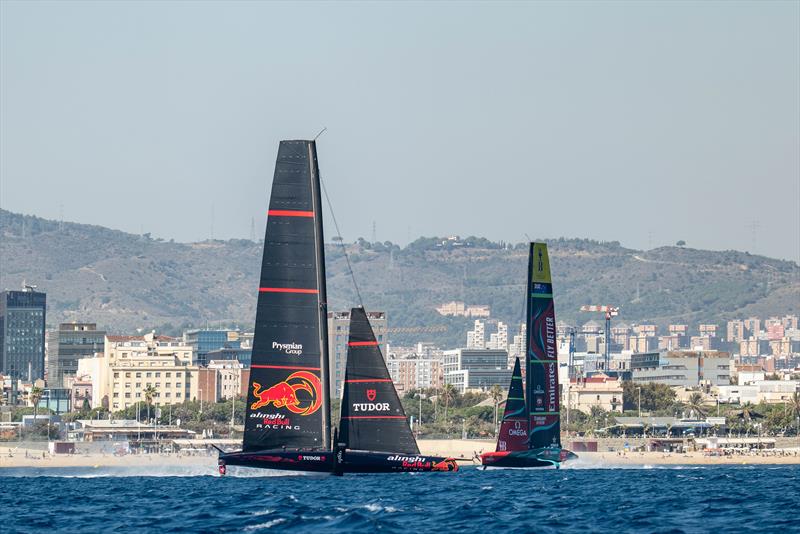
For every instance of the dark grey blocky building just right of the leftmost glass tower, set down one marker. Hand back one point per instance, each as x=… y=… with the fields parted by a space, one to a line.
x=67 y=345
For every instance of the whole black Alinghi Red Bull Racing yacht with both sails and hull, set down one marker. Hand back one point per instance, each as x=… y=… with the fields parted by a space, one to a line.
x=287 y=420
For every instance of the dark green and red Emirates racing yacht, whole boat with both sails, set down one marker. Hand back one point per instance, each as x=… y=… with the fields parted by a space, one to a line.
x=530 y=433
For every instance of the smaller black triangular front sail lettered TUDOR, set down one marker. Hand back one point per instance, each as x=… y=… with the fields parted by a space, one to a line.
x=372 y=417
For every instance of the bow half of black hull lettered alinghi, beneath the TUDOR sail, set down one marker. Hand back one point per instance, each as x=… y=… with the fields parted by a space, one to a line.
x=389 y=462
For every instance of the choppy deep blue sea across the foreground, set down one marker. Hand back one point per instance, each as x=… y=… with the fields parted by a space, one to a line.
x=668 y=499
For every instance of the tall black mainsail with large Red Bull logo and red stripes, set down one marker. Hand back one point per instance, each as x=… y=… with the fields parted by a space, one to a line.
x=288 y=404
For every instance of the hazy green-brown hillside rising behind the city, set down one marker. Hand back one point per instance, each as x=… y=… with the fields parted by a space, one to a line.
x=125 y=282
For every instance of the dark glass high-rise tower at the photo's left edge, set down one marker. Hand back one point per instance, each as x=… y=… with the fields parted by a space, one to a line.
x=22 y=327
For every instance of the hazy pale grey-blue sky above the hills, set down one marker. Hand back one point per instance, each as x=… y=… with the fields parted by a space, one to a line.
x=639 y=122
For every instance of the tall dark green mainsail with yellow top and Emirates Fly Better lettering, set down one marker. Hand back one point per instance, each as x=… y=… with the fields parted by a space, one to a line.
x=542 y=359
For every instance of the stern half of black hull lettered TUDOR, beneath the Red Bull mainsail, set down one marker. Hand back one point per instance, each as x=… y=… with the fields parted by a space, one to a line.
x=298 y=460
